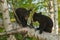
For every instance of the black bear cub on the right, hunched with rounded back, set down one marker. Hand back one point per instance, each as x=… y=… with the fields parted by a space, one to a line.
x=46 y=23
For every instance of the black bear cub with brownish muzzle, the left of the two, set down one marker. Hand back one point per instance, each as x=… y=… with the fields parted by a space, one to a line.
x=22 y=15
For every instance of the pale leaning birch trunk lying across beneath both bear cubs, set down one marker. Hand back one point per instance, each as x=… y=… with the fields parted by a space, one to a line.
x=33 y=33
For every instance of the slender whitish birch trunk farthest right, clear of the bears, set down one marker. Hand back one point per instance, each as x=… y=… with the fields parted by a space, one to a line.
x=55 y=16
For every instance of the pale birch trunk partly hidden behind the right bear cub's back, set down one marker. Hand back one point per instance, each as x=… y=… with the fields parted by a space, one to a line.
x=51 y=12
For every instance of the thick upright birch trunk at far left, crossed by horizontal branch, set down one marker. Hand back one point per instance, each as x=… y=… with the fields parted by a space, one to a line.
x=6 y=18
